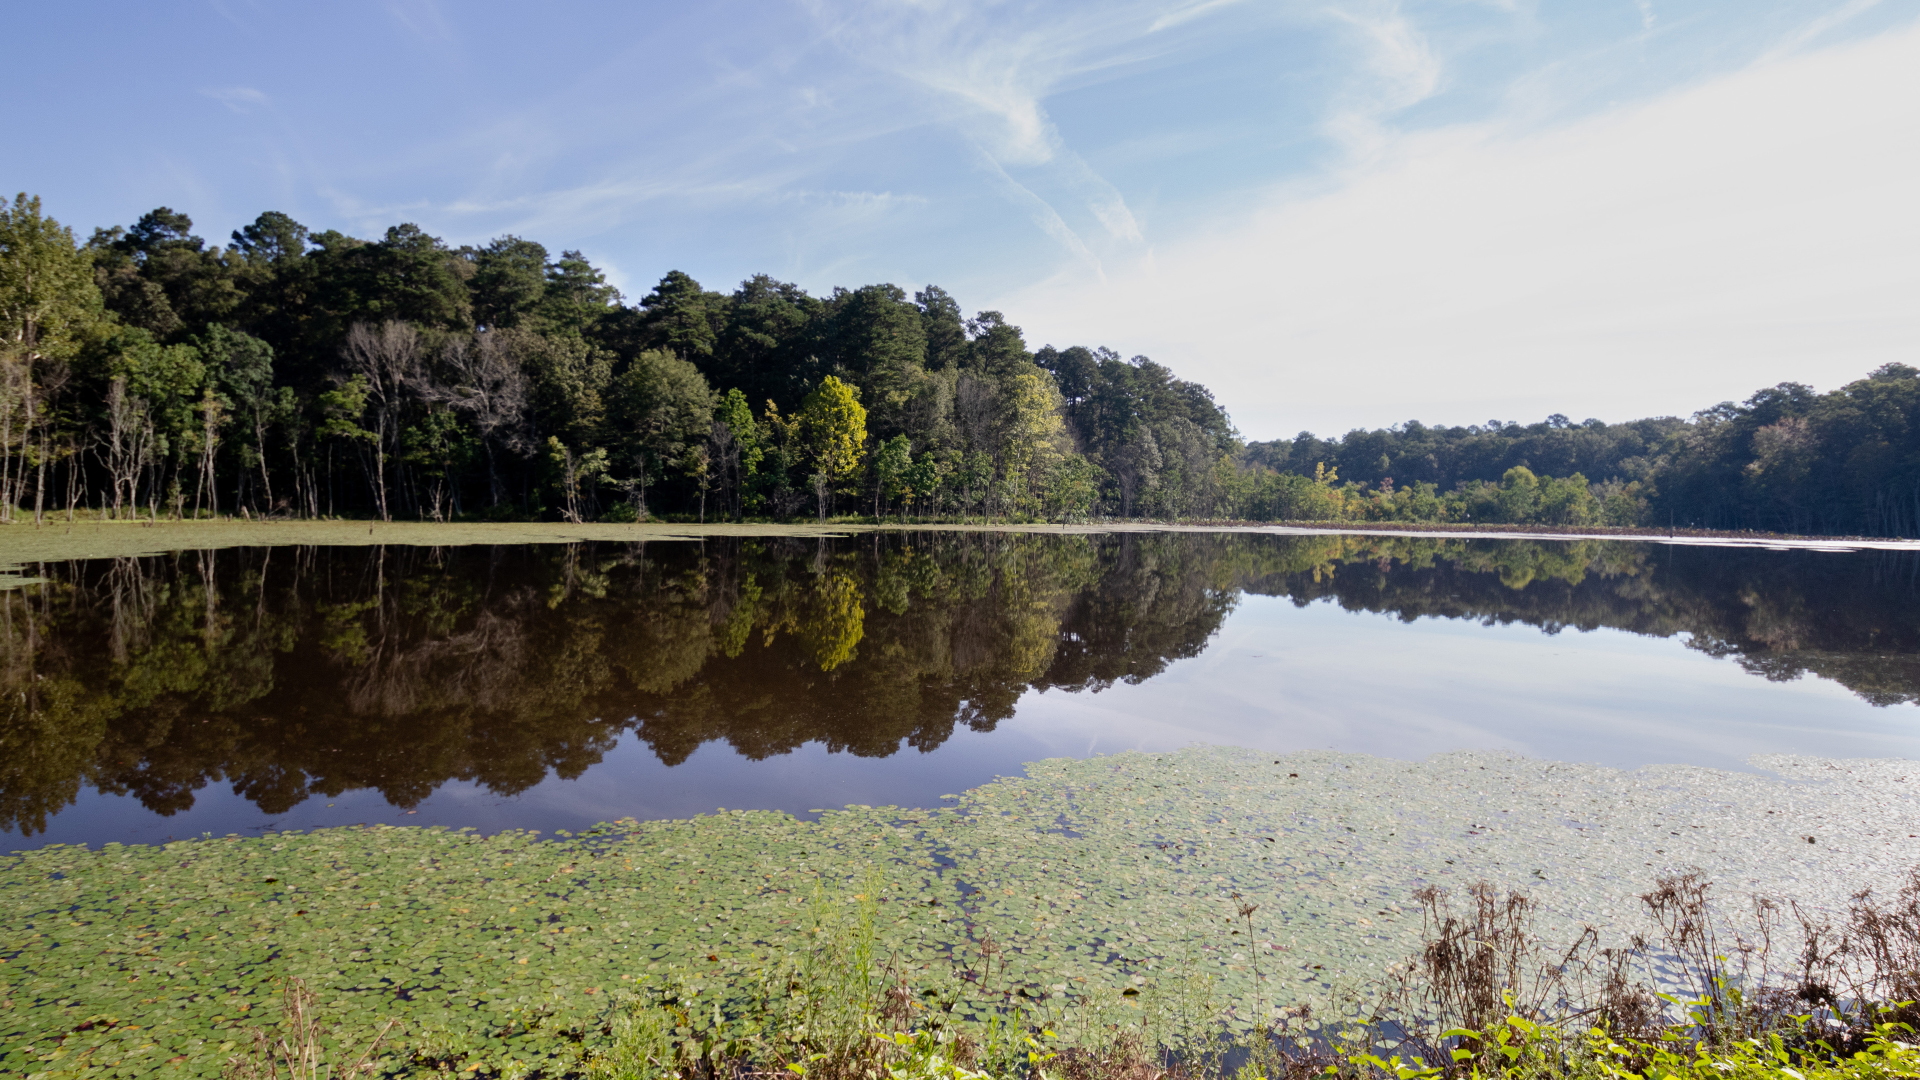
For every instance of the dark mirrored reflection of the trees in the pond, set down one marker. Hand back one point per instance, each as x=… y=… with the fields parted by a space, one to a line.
x=300 y=672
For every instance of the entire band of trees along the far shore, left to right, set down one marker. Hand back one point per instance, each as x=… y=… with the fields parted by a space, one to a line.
x=147 y=374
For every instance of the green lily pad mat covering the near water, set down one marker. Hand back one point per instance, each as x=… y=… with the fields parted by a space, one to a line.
x=141 y=962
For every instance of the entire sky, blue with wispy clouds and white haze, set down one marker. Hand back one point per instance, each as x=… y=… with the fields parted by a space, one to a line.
x=1333 y=212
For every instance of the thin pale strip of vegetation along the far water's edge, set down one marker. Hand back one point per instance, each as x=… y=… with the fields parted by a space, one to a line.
x=57 y=541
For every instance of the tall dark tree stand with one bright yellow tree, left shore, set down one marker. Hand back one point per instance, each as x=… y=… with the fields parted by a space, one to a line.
x=316 y=374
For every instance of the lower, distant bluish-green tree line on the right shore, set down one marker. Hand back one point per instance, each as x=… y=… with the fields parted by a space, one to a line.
x=1787 y=460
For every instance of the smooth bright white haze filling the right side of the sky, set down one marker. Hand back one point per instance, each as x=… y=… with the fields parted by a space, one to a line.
x=1654 y=258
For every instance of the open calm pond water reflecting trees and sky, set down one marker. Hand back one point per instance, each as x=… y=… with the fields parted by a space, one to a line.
x=556 y=687
